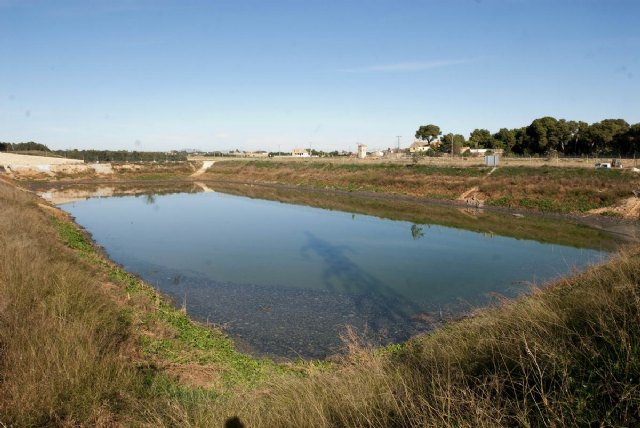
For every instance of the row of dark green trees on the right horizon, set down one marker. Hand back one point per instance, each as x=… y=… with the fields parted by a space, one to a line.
x=544 y=136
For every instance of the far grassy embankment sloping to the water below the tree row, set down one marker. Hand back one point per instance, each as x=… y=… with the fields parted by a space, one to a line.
x=541 y=188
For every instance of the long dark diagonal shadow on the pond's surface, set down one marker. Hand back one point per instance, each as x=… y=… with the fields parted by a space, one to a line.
x=371 y=295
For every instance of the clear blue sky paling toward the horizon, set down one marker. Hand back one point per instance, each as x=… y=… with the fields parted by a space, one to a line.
x=274 y=75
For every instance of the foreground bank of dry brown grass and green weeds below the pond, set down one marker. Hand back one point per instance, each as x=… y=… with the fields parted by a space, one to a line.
x=83 y=343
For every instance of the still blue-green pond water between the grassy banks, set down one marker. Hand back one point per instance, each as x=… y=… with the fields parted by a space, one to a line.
x=286 y=279
